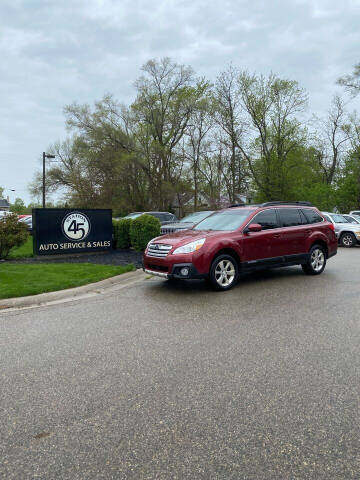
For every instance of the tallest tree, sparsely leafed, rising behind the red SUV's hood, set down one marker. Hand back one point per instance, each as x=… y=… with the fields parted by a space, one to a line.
x=167 y=94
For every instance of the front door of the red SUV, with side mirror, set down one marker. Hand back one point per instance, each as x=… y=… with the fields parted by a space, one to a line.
x=262 y=247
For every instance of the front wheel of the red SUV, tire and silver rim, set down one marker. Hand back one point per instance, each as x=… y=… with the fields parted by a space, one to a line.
x=224 y=273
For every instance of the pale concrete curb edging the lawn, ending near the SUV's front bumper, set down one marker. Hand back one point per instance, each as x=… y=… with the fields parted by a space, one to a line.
x=72 y=293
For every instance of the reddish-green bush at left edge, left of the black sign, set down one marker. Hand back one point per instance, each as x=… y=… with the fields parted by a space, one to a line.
x=12 y=234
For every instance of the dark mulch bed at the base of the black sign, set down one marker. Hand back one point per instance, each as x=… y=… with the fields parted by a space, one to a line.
x=115 y=257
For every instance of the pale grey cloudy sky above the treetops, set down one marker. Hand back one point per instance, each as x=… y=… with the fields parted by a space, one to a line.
x=55 y=52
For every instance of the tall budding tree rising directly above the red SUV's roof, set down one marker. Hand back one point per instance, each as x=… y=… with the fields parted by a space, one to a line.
x=273 y=132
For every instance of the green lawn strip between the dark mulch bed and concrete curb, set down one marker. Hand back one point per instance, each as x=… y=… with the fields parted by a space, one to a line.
x=17 y=280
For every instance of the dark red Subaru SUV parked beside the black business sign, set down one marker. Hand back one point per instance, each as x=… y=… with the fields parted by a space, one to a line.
x=243 y=239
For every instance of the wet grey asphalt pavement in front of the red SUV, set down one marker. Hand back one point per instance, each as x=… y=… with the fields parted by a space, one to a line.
x=162 y=381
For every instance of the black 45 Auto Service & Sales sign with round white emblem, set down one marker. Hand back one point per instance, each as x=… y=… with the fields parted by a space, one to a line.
x=61 y=230
